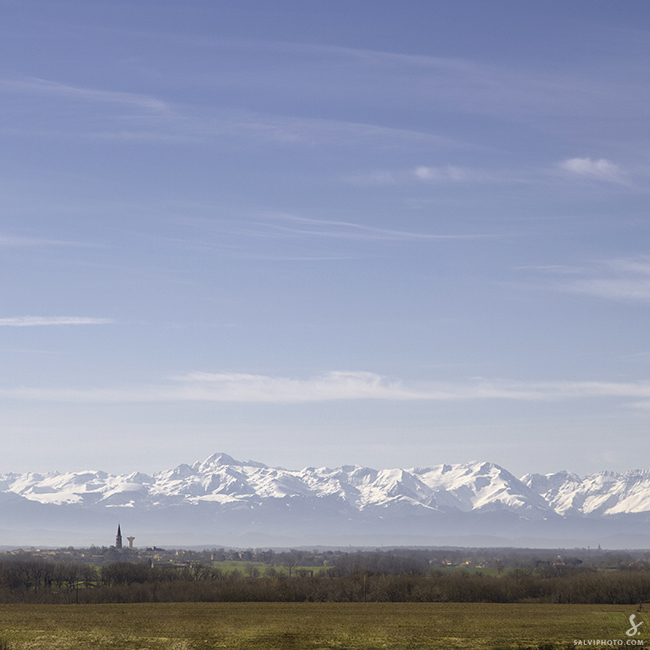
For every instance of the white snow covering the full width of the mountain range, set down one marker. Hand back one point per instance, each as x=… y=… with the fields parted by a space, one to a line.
x=221 y=482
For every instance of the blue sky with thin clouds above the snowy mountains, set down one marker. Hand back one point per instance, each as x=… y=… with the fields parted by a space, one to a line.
x=324 y=233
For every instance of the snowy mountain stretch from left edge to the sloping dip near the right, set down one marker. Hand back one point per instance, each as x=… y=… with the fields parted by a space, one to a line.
x=222 y=479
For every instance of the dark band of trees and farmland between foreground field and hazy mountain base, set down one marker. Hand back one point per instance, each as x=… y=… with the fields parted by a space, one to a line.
x=391 y=577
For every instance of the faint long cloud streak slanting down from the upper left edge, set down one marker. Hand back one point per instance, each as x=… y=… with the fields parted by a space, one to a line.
x=153 y=119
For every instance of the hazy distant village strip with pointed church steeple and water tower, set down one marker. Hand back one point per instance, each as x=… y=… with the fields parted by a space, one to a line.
x=255 y=562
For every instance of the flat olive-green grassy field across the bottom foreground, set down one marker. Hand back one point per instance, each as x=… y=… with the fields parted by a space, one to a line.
x=311 y=626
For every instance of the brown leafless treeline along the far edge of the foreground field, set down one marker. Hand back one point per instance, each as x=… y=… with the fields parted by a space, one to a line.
x=35 y=581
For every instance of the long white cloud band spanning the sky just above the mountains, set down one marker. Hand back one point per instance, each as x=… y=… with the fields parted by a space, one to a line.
x=338 y=385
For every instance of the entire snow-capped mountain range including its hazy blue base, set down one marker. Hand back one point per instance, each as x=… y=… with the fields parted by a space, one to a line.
x=225 y=501
